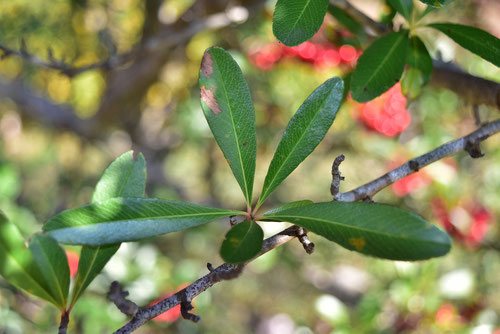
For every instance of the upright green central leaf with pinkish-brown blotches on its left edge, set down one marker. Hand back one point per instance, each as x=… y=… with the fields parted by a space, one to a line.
x=228 y=108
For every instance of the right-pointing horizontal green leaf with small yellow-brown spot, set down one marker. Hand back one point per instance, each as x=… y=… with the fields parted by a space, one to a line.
x=373 y=229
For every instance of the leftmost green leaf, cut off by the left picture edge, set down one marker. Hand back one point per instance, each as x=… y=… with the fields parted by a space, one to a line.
x=17 y=265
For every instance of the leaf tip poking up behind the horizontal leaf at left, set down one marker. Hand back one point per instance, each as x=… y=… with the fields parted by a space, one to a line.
x=125 y=177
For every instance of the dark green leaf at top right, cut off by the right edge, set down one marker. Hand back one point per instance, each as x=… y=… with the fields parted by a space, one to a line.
x=473 y=39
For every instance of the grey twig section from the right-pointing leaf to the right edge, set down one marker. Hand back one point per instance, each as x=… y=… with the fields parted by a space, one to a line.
x=469 y=143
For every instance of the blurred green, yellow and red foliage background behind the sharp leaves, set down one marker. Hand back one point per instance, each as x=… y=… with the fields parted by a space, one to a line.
x=58 y=132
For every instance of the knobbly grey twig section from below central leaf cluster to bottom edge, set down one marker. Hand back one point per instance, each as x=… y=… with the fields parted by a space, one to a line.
x=226 y=271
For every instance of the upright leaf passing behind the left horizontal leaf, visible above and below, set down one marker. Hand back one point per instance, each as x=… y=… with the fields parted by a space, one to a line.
x=125 y=177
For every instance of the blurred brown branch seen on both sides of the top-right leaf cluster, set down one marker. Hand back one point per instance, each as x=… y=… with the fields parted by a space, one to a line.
x=472 y=89
